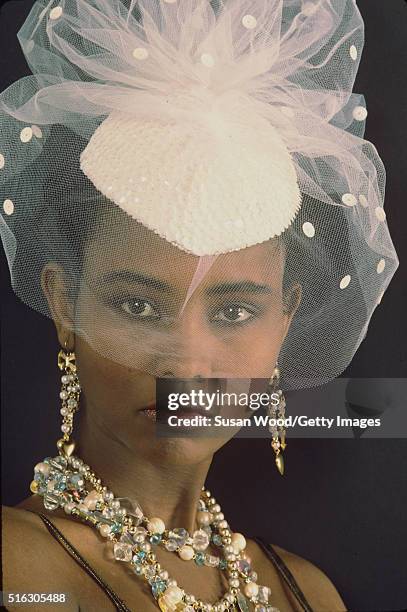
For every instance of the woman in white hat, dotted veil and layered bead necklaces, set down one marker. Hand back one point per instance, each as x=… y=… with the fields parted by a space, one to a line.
x=188 y=204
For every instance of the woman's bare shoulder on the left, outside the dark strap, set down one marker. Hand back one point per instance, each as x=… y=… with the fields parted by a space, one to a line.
x=29 y=560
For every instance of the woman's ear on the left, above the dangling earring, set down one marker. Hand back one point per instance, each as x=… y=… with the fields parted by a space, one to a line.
x=55 y=287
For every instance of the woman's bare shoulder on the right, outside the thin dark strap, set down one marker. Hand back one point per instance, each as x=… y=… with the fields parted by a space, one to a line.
x=314 y=583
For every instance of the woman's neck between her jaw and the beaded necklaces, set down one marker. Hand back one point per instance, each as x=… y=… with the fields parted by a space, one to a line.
x=169 y=491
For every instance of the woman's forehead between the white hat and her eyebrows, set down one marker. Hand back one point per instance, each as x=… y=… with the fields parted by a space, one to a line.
x=123 y=243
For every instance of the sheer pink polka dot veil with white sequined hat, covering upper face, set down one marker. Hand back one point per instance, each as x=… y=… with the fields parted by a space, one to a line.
x=195 y=174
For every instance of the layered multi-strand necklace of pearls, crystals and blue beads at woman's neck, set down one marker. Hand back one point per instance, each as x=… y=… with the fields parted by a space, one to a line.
x=61 y=481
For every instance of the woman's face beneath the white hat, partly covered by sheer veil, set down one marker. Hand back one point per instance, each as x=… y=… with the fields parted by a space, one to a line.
x=131 y=331
